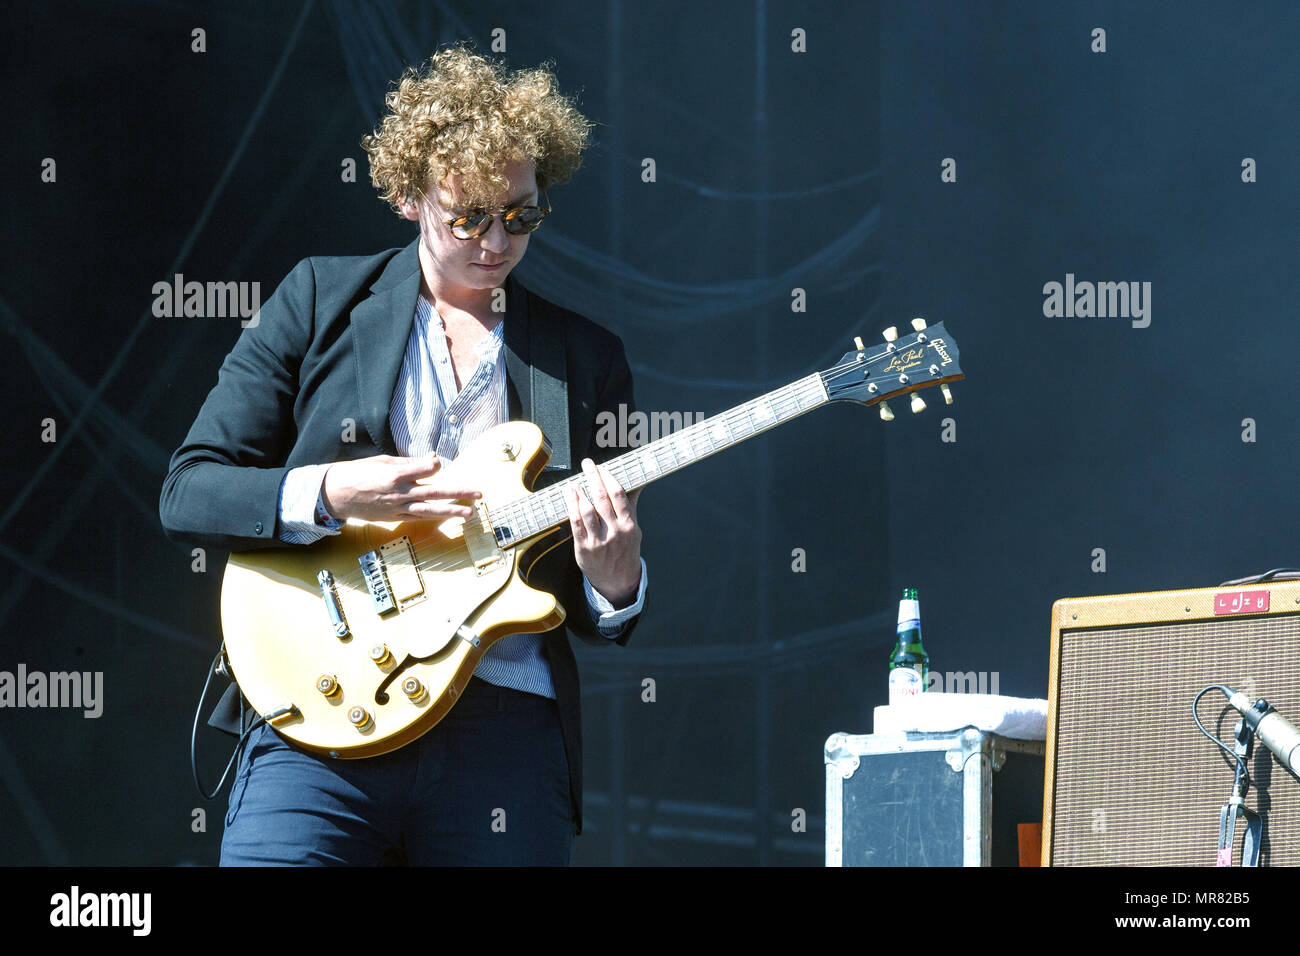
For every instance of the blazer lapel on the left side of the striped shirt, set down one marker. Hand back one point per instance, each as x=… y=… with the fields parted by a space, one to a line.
x=382 y=327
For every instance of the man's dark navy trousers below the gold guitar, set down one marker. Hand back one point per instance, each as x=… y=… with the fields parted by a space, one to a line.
x=487 y=786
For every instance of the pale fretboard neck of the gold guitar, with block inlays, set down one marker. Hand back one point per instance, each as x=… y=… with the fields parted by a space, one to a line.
x=547 y=509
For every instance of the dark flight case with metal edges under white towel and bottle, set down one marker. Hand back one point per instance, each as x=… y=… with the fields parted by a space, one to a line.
x=915 y=799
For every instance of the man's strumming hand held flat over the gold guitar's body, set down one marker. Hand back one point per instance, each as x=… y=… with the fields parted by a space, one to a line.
x=385 y=490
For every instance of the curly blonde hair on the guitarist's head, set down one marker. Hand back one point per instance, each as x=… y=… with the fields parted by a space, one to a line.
x=466 y=116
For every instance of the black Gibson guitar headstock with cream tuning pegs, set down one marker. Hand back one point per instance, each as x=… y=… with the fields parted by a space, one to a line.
x=918 y=361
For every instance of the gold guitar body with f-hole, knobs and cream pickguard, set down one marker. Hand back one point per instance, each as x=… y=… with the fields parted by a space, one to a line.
x=432 y=598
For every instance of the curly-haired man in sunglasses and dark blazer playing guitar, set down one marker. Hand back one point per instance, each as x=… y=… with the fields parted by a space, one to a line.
x=361 y=378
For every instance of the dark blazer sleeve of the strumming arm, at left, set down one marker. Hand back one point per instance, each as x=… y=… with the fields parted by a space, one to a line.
x=223 y=486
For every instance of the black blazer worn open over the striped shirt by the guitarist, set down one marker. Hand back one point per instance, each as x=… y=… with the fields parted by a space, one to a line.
x=328 y=347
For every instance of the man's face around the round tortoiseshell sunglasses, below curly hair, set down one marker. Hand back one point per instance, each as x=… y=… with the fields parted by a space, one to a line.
x=483 y=262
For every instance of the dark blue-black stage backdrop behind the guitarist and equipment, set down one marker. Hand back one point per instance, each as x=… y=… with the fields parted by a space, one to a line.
x=769 y=180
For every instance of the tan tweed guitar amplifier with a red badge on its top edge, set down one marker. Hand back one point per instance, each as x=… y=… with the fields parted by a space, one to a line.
x=1130 y=781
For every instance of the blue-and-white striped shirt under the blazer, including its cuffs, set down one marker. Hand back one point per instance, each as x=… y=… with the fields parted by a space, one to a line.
x=428 y=414
